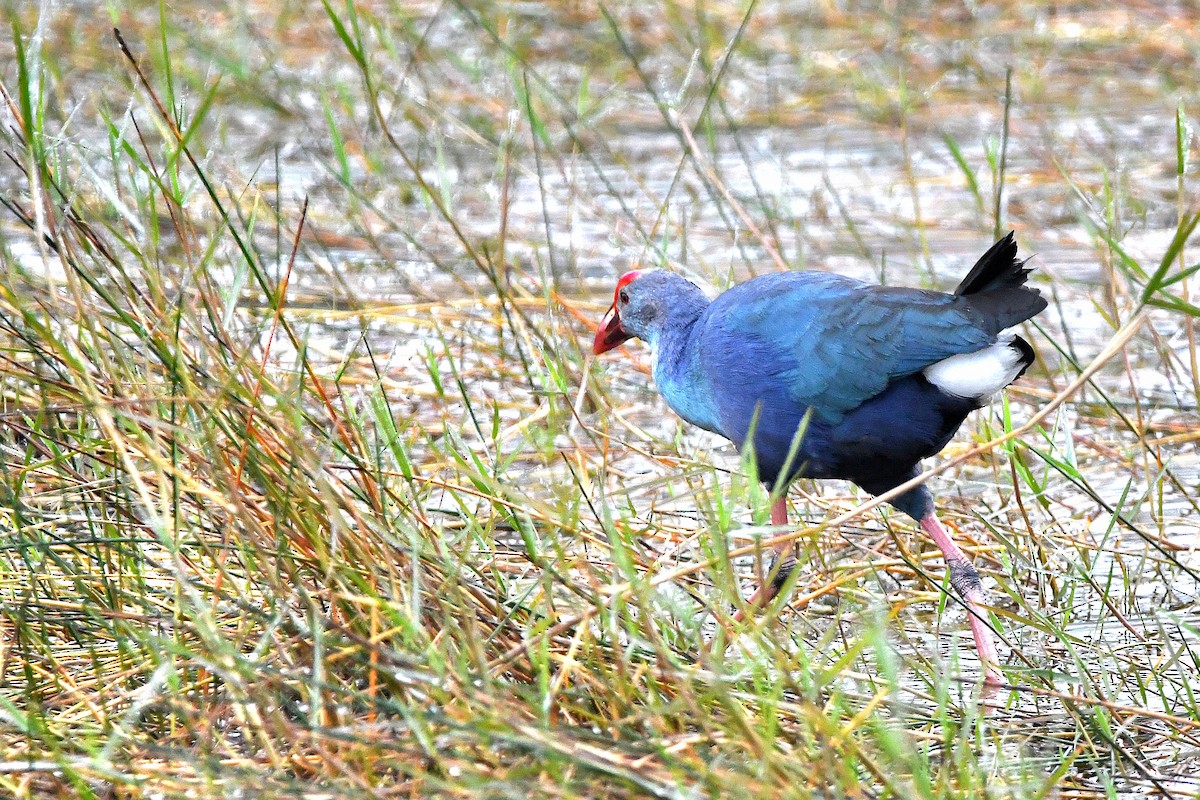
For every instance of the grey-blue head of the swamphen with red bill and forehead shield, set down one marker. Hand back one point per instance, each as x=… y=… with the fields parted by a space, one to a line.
x=644 y=304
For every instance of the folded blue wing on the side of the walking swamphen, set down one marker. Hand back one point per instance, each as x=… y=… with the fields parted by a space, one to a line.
x=788 y=342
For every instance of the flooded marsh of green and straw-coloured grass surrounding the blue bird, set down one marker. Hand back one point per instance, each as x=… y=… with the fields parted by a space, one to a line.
x=311 y=489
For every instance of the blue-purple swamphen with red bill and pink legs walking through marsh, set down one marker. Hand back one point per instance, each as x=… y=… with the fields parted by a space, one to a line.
x=837 y=380
